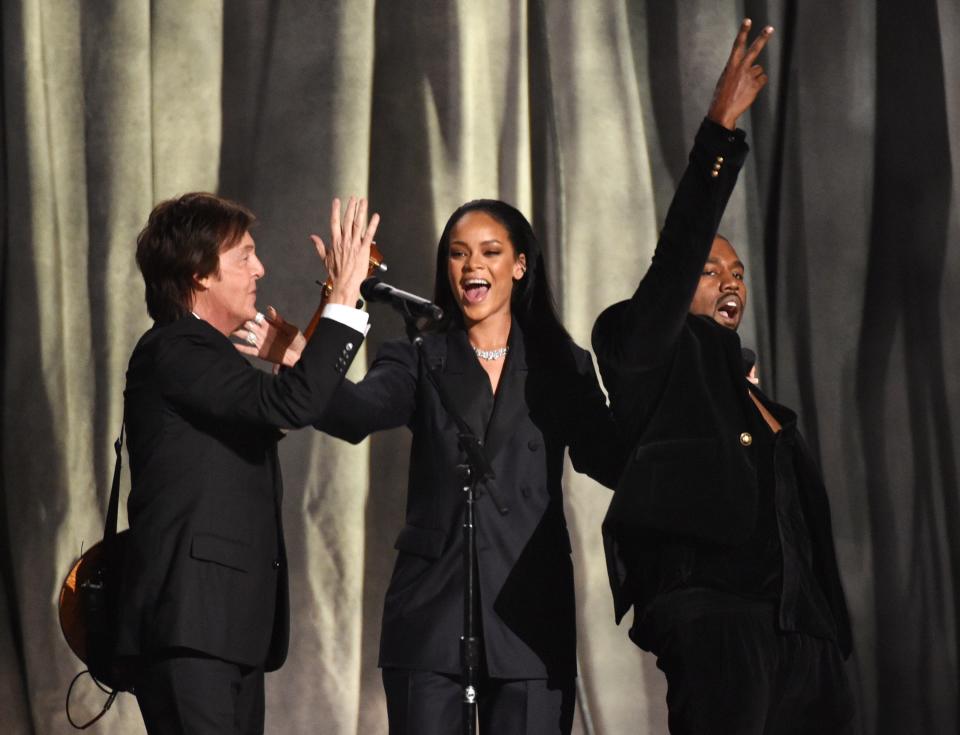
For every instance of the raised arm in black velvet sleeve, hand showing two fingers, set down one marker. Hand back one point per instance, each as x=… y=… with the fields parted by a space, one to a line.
x=639 y=334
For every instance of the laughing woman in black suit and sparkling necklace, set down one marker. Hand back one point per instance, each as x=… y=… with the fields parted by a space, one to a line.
x=528 y=392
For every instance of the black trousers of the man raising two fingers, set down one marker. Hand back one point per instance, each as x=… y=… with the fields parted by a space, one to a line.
x=735 y=673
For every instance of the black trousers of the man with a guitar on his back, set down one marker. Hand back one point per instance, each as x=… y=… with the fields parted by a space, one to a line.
x=183 y=692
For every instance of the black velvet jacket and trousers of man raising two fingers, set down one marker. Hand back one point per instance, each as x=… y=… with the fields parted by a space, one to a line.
x=719 y=531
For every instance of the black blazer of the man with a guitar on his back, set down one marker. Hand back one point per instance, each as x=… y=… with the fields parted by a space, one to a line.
x=205 y=567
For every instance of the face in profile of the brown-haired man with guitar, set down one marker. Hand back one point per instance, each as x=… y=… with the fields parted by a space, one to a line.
x=229 y=297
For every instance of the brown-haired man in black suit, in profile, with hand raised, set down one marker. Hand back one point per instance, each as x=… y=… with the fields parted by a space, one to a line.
x=204 y=605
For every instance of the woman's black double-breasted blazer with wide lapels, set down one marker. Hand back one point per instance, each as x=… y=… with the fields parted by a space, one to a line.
x=525 y=571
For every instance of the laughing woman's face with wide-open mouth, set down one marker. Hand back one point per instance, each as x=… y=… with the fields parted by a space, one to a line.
x=482 y=265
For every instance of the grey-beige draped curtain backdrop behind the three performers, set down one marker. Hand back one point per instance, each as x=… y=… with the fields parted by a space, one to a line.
x=579 y=113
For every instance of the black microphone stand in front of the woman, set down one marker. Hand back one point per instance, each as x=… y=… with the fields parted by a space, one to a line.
x=476 y=469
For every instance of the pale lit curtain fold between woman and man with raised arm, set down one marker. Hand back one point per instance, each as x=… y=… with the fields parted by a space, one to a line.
x=608 y=231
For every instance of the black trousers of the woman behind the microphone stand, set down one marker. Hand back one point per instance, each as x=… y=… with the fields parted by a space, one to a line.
x=428 y=703
